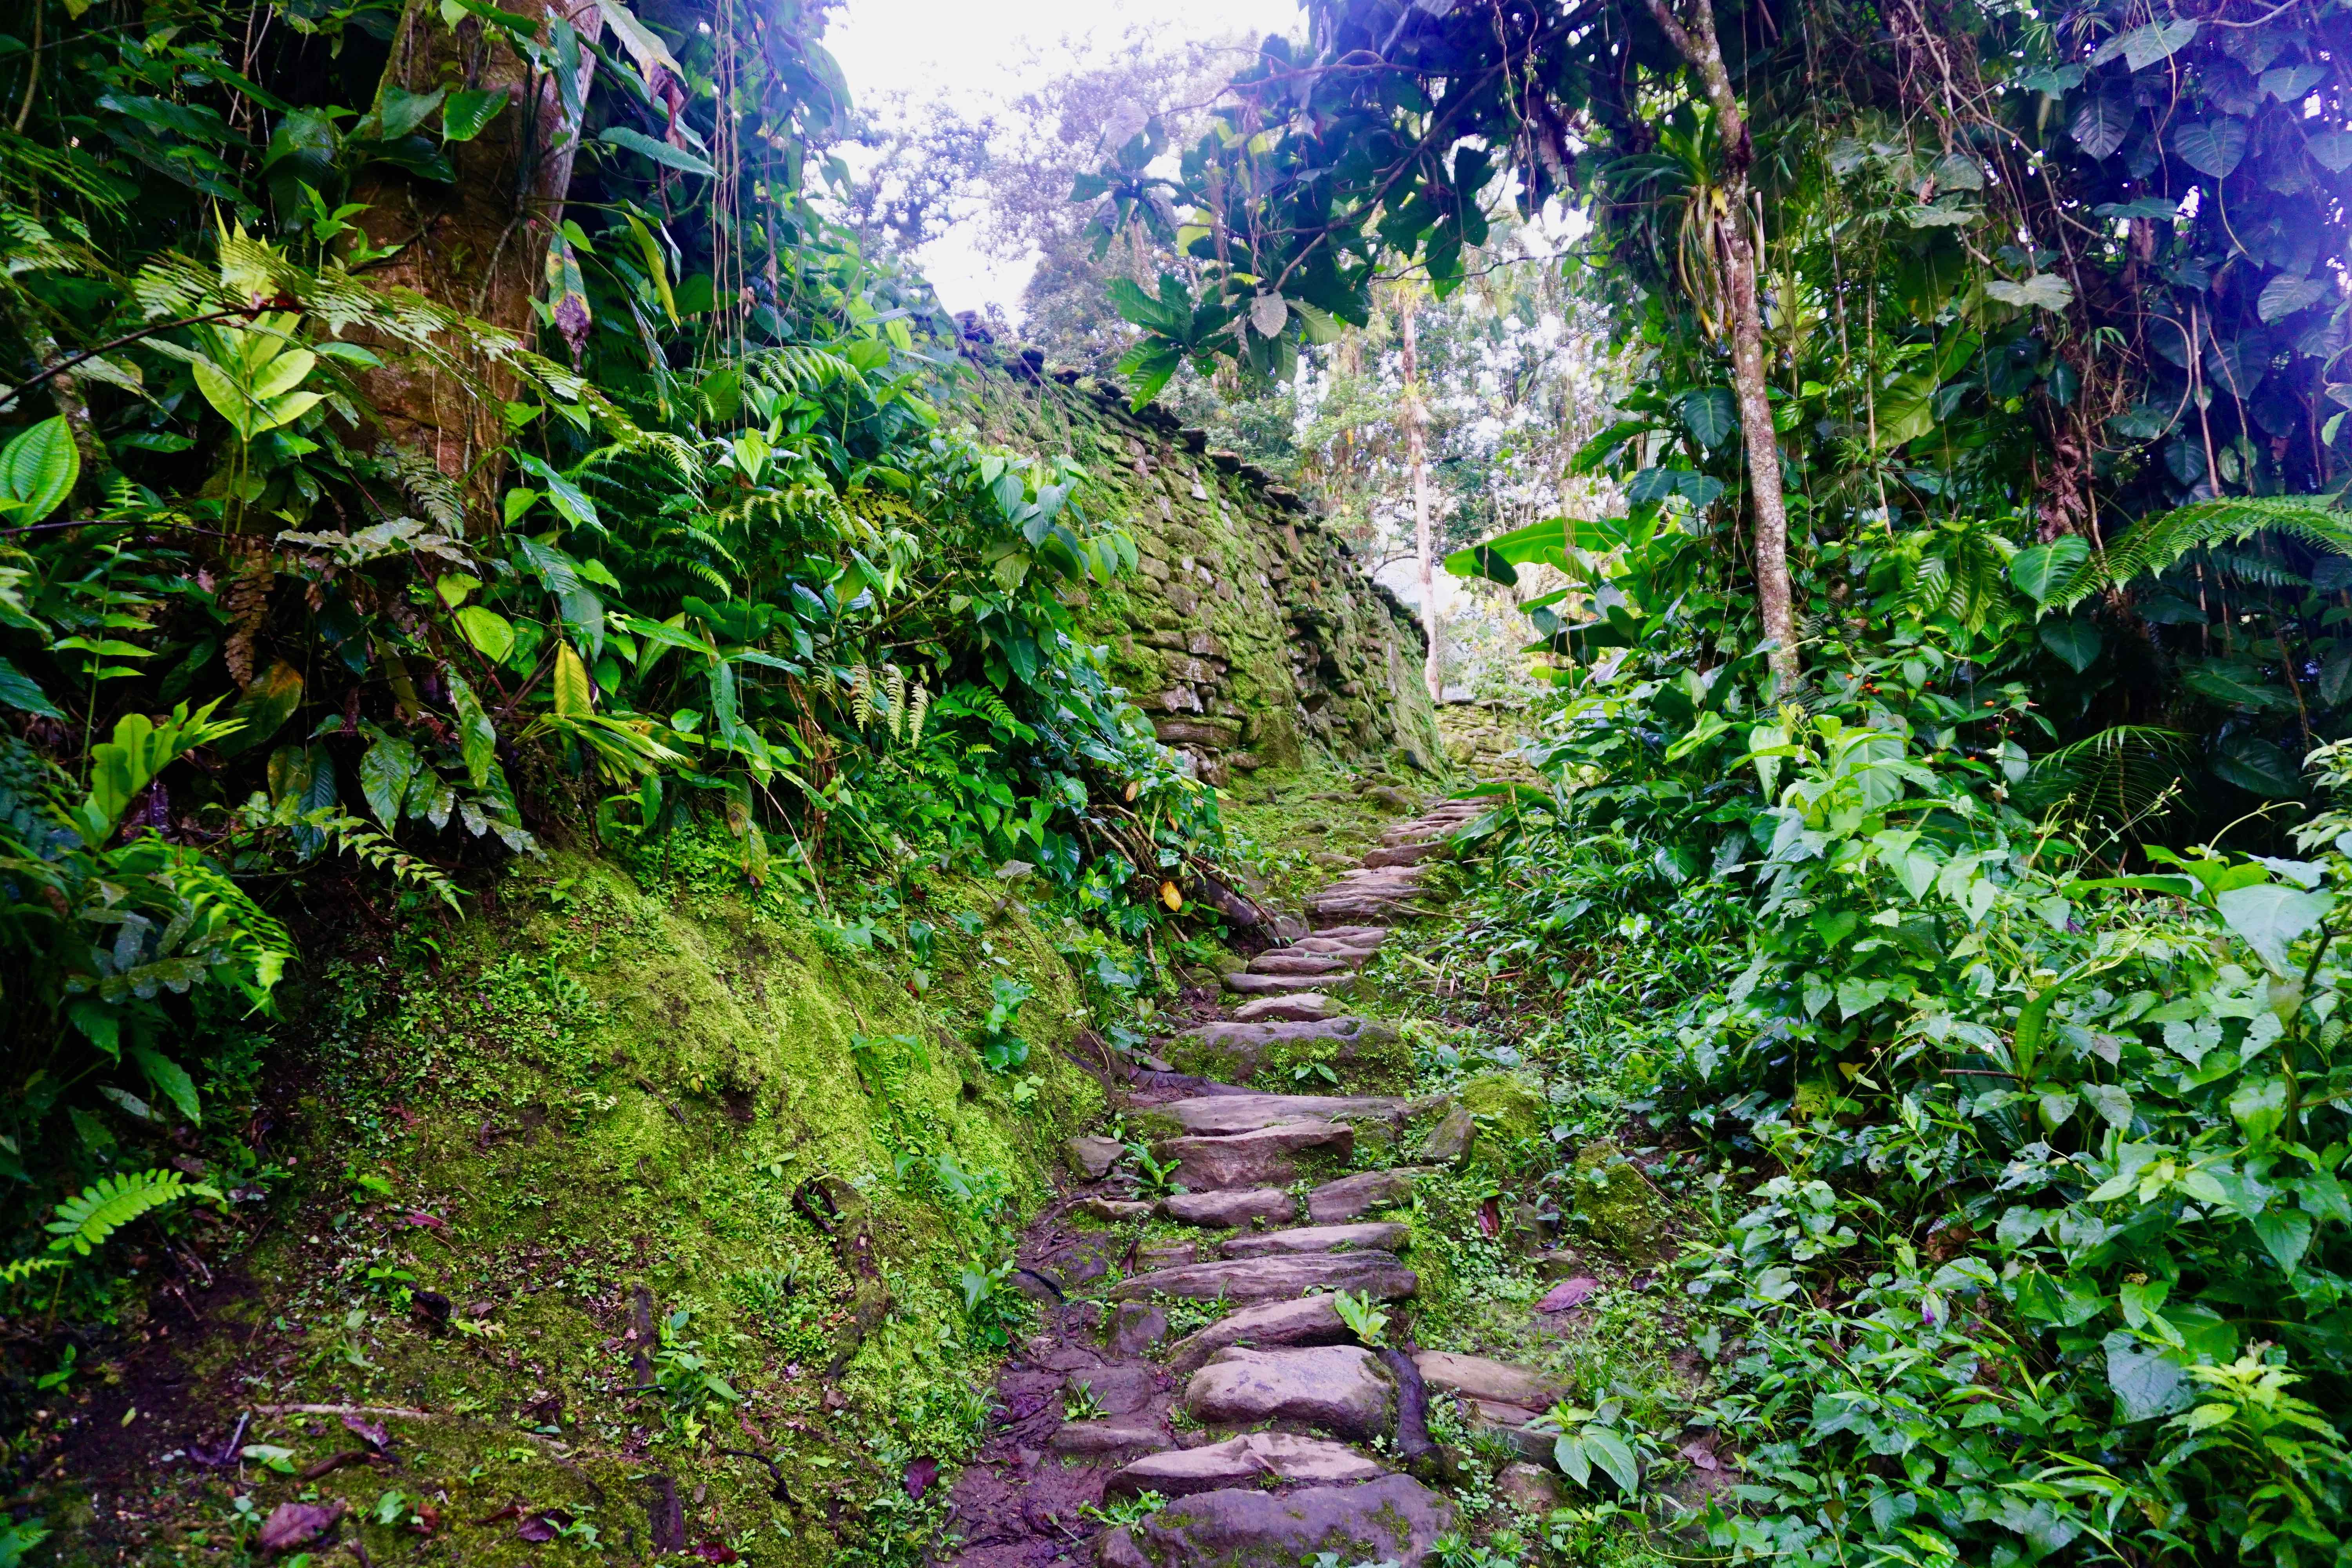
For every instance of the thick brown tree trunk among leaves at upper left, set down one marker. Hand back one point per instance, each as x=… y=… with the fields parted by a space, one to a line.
x=479 y=243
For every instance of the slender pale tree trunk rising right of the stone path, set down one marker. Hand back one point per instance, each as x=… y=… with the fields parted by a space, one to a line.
x=1704 y=53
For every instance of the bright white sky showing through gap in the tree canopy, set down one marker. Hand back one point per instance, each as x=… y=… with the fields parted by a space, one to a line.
x=982 y=55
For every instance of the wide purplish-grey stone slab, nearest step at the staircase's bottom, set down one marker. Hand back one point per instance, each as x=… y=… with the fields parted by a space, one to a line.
x=1394 y=1520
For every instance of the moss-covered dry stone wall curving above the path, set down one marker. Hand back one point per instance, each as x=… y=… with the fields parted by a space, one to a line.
x=1250 y=636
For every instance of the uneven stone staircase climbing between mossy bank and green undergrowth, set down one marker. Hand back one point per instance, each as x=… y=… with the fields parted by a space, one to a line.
x=1274 y=1433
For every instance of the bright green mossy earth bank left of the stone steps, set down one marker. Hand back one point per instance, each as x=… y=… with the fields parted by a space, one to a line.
x=608 y=1092
